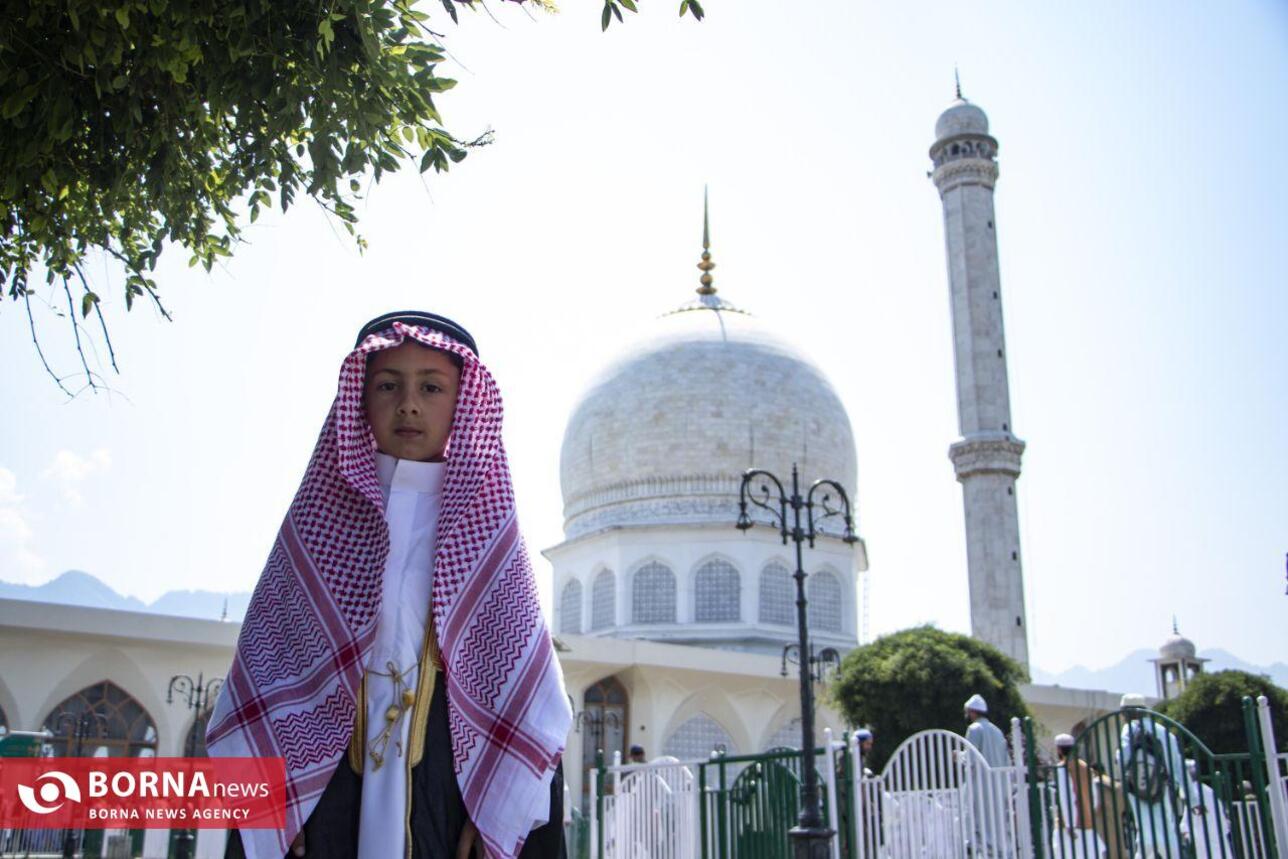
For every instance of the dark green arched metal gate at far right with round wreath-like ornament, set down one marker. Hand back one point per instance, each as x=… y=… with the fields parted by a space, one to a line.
x=1153 y=789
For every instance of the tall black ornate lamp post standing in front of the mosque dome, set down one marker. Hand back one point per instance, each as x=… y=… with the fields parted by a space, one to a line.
x=811 y=839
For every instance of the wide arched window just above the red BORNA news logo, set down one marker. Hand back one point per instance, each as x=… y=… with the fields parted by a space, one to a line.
x=124 y=728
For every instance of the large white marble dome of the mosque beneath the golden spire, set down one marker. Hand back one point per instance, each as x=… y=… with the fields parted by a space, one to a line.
x=665 y=433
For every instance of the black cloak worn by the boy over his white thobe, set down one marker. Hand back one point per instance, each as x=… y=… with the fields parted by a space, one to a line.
x=439 y=812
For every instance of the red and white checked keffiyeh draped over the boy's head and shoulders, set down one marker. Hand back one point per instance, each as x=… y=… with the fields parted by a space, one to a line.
x=311 y=624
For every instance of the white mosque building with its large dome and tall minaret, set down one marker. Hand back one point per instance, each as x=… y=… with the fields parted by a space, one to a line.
x=670 y=624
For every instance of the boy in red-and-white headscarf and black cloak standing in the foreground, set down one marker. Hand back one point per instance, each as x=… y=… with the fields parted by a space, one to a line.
x=393 y=651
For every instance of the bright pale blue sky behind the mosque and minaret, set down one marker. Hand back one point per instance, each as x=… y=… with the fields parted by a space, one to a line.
x=1142 y=220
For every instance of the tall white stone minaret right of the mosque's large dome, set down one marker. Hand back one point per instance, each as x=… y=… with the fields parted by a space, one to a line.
x=987 y=458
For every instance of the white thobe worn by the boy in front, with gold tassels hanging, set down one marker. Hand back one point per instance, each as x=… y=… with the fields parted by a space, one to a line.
x=413 y=494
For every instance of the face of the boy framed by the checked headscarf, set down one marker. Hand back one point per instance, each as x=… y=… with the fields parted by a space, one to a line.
x=410 y=397
